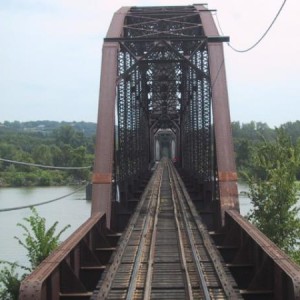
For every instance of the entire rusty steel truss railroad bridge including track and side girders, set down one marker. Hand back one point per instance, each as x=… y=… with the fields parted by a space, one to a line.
x=178 y=235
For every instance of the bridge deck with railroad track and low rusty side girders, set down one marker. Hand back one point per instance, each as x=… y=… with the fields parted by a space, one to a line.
x=165 y=253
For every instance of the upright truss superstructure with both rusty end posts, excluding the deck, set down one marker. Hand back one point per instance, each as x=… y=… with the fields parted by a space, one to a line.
x=161 y=59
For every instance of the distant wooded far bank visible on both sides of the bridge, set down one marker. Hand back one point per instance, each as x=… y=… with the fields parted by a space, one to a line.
x=72 y=144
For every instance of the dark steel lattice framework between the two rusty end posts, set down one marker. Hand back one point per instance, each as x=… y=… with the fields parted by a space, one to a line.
x=164 y=83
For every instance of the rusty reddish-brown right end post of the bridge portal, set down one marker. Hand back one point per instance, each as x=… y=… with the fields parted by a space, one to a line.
x=221 y=115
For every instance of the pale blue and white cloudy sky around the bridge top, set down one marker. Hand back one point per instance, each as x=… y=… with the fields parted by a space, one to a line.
x=50 y=58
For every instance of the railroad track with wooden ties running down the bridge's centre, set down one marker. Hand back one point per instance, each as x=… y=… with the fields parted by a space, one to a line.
x=166 y=251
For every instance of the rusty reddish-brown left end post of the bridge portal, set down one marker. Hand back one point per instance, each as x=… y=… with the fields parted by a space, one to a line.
x=101 y=194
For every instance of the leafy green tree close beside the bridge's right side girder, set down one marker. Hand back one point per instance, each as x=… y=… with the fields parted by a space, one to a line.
x=272 y=190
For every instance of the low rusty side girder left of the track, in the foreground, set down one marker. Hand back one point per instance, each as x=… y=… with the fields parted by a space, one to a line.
x=74 y=268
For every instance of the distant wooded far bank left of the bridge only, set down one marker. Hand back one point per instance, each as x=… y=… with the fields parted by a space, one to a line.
x=46 y=143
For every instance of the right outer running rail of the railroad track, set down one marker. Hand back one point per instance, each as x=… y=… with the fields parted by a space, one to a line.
x=179 y=199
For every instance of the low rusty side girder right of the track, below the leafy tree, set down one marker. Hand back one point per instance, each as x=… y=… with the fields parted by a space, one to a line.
x=260 y=268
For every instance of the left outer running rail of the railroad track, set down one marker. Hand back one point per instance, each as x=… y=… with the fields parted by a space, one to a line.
x=154 y=204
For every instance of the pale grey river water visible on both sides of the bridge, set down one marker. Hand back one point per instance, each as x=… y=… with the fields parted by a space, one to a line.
x=73 y=210
